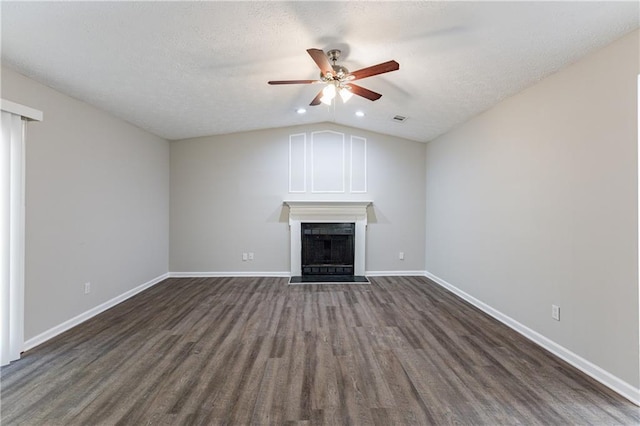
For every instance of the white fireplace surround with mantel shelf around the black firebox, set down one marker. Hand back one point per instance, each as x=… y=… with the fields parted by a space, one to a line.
x=327 y=212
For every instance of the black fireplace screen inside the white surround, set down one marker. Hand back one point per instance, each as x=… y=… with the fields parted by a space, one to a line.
x=327 y=248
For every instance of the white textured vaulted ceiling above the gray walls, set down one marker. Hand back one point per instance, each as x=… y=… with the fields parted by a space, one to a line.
x=187 y=69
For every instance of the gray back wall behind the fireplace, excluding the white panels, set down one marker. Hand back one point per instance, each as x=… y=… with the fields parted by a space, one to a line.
x=227 y=193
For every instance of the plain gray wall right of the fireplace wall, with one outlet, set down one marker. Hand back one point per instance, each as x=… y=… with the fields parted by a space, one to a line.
x=534 y=203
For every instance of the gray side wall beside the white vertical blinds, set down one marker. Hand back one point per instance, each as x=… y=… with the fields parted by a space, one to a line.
x=97 y=203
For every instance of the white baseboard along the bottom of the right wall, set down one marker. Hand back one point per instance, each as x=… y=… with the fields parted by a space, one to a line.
x=614 y=383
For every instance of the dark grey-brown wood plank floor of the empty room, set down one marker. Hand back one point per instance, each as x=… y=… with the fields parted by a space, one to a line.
x=256 y=351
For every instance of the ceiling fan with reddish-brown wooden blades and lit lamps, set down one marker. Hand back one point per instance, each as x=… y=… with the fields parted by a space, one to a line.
x=338 y=79
